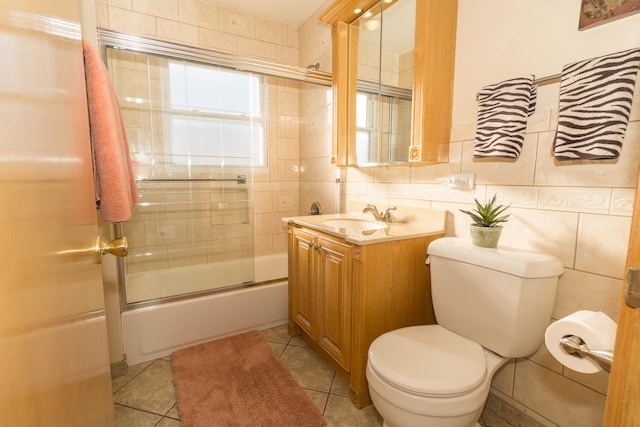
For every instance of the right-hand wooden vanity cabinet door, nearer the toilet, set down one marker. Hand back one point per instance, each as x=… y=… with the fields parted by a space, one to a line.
x=334 y=300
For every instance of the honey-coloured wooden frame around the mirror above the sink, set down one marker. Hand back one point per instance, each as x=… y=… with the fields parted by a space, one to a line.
x=434 y=61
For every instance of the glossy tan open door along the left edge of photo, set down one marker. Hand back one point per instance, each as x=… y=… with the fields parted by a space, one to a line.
x=53 y=340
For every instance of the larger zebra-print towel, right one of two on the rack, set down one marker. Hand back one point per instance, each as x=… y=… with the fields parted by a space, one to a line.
x=595 y=104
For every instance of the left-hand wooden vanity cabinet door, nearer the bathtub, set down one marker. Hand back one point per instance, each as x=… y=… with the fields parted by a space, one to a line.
x=302 y=284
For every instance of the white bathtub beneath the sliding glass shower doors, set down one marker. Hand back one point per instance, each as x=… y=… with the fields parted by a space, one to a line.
x=156 y=331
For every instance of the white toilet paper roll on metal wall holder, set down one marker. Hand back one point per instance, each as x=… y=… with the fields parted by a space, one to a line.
x=596 y=329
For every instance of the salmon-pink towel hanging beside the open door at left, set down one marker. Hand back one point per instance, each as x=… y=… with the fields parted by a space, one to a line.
x=114 y=180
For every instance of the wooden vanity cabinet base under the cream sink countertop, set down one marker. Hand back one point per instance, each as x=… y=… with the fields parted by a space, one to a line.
x=343 y=295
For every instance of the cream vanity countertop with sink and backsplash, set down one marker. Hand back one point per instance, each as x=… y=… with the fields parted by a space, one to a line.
x=428 y=222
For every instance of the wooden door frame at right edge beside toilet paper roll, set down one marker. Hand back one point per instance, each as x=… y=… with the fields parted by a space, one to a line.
x=623 y=397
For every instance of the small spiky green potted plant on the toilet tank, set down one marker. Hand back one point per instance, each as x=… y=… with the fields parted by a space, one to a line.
x=487 y=222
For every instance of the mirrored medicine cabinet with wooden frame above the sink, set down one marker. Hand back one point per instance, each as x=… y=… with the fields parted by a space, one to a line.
x=377 y=133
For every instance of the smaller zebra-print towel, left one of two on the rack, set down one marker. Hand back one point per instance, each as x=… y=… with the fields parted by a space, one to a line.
x=503 y=109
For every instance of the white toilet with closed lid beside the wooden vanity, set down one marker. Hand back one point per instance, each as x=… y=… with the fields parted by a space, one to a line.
x=491 y=305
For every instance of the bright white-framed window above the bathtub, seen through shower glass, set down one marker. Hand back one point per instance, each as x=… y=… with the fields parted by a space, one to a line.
x=216 y=116
